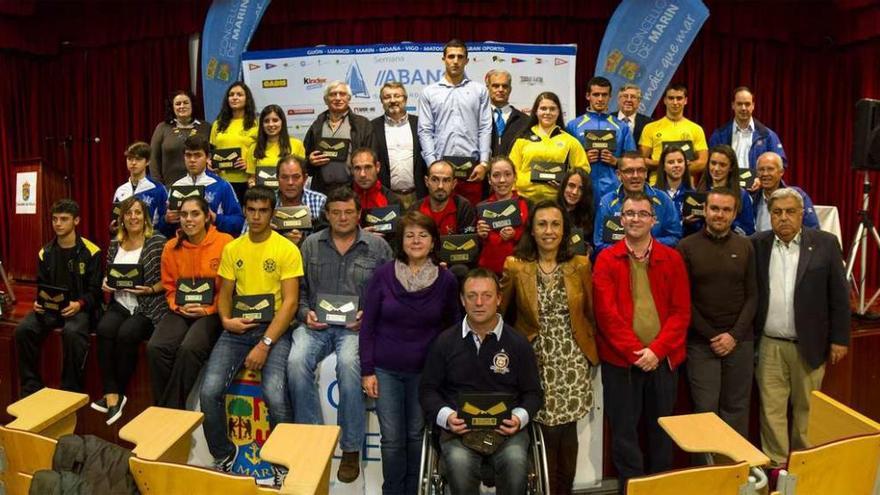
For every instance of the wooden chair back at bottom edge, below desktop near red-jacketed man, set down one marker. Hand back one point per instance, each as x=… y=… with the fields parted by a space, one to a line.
x=727 y=479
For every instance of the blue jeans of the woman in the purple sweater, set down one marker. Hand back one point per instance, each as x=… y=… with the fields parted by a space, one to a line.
x=400 y=423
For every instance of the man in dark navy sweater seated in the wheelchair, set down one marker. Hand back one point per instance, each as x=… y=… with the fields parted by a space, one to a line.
x=480 y=385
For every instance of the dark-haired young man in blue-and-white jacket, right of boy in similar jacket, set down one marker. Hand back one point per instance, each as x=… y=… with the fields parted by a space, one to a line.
x=225 y=211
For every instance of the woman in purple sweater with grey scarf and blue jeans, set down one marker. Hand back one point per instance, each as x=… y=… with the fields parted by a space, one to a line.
x=408 y=302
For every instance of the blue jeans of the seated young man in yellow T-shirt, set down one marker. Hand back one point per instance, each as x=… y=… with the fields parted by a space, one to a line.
x=225 y=361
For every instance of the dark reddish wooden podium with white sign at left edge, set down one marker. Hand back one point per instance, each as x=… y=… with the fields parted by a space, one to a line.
x=29 y=232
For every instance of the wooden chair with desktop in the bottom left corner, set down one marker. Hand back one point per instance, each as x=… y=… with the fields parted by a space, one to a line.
x=29 y=440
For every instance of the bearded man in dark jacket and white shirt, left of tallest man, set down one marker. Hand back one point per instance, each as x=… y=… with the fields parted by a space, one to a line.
x=396 y=137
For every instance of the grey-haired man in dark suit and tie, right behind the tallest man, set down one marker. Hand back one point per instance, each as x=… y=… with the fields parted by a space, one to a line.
x=507 y=122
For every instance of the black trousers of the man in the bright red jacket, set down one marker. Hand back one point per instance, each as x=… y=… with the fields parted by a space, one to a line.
x=629 y=392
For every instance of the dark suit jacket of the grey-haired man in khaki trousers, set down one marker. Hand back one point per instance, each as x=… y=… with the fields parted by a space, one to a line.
x=821 y=294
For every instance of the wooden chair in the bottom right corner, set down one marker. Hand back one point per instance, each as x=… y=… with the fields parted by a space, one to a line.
x=844 y=457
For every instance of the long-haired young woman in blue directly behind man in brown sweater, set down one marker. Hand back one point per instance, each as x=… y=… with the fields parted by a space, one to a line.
x=722 y=171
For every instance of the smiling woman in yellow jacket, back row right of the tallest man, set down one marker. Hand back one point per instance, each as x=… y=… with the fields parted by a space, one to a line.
x=545 y=140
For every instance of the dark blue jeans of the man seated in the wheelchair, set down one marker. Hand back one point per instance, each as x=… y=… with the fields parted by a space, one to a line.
x=510 y=463
